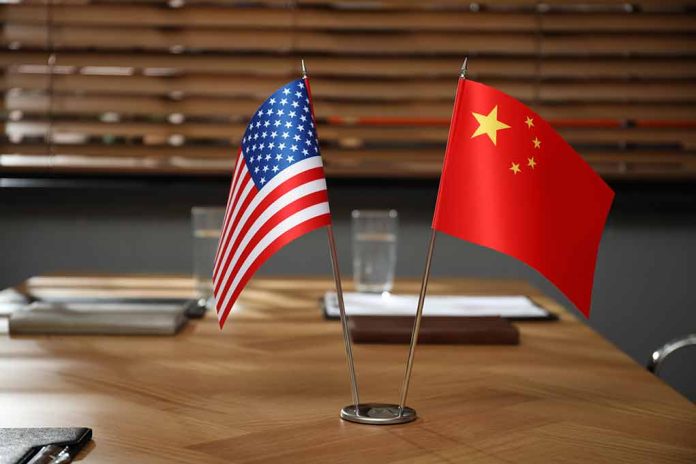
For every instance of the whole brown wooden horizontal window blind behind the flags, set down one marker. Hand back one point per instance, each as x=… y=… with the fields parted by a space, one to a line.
x=165 y=87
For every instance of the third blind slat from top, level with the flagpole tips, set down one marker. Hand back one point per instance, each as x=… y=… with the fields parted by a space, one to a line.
x=370 y=67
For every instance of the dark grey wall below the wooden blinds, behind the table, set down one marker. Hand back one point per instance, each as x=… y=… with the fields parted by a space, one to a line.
x=643 y=295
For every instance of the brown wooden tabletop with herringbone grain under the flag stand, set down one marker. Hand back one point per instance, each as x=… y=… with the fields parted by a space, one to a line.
x=269 y=388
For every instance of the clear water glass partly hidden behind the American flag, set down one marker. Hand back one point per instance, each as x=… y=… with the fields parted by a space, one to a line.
x=207 y=224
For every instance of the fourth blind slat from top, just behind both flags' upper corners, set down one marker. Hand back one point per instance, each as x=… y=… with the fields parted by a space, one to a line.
x=364 y=90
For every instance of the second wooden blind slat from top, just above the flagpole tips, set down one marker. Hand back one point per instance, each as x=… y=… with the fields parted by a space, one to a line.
x=407 y=43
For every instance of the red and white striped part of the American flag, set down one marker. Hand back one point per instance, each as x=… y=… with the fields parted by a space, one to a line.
x=258 y=222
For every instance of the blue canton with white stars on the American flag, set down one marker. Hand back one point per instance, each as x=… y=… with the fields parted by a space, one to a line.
x=280 y=134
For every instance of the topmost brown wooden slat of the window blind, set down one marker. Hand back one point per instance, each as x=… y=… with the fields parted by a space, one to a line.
x=197 y=17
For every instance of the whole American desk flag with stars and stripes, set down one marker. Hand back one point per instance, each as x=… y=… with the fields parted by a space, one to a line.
x=278 y=191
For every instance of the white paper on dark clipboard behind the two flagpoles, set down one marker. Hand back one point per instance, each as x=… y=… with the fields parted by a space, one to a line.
x=369 y=304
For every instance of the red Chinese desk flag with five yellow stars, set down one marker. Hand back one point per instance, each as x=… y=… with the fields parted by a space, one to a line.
x=511 y=183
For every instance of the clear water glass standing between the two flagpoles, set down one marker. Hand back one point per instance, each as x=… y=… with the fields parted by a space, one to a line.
x=374 y=249
